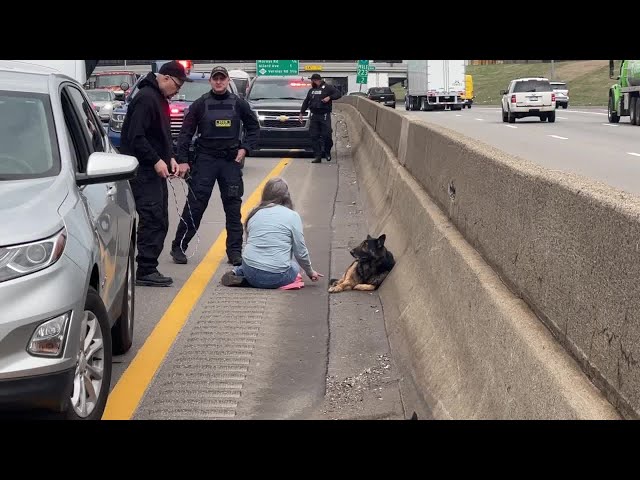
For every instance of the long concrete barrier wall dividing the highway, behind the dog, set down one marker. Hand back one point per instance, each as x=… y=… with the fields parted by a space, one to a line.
x=547 y=236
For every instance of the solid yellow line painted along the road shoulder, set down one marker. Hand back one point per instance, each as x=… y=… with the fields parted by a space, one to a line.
x=126 y=395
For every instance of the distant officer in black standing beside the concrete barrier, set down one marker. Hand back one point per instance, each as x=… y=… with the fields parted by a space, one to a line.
x=319 y=101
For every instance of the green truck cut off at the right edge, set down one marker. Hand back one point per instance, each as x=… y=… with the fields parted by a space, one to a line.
x=624 y=96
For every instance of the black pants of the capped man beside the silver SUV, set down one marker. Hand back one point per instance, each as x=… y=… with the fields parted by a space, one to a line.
x=151 y=195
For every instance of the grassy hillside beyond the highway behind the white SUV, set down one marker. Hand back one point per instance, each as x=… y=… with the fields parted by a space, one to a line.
x=588 y=80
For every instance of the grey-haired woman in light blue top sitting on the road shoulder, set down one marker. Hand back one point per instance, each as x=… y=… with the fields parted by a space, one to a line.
x=274 y=238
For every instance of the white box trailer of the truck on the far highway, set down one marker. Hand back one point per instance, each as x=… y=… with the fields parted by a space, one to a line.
x=435 y=85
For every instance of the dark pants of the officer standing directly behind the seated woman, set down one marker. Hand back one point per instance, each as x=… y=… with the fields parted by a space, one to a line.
x=207 y=169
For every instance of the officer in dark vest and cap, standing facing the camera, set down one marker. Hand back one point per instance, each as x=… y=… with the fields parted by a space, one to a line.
x=219 y=117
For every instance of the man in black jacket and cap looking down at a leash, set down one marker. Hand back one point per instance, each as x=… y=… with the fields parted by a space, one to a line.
x=146 y=134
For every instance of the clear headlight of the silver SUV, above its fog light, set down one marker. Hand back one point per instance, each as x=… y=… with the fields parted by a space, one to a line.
x=20 y=260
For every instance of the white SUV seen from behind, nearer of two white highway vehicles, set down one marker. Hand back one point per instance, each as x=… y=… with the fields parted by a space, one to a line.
x=529 y=97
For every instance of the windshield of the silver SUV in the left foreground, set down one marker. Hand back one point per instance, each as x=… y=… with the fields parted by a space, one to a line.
x=28 y=147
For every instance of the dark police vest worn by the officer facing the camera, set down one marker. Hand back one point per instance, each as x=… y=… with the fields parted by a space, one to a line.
x=220 y=120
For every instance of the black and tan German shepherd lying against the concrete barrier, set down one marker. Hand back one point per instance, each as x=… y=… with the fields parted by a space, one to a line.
x=372 y=264
